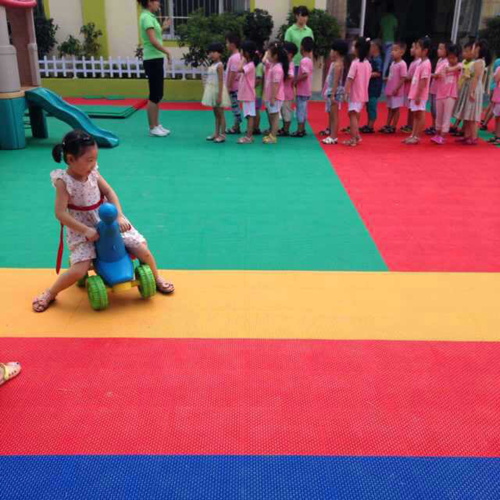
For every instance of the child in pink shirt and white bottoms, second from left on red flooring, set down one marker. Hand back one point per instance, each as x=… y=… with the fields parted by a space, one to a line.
x=356 y=89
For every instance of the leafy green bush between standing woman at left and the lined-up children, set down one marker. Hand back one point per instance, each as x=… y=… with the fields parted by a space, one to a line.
x=200 y=31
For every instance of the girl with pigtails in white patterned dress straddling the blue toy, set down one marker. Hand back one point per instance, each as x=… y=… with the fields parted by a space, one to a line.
x=80 y=190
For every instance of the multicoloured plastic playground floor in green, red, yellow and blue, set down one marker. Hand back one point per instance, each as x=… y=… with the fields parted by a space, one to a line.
x=334 y=331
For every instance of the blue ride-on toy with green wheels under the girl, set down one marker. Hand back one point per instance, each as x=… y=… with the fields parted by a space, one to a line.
x=114 y=268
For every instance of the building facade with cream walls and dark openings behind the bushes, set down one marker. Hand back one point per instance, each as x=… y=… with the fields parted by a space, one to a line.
x=118 y=18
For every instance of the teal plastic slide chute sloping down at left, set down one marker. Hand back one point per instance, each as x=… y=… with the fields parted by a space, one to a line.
x=55 y=105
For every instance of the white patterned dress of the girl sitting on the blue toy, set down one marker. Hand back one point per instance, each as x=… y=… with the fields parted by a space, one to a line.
x=85 y=194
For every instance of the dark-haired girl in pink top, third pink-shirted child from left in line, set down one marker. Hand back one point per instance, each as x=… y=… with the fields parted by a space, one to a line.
x=274 y=90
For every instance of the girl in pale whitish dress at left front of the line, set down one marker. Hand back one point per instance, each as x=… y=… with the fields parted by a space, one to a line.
x=215 y=94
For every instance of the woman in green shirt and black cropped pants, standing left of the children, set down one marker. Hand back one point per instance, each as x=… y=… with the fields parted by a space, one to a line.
x=154 y=60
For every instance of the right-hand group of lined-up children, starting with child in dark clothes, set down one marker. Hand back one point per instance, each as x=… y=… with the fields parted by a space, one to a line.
x=453 y=88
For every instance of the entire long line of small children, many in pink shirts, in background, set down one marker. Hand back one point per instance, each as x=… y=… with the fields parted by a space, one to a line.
x=453 y=89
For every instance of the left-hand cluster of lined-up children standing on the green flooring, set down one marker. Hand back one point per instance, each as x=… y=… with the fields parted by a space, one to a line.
x=252 y=80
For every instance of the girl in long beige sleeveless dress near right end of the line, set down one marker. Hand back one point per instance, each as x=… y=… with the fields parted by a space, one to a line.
x=470 y=101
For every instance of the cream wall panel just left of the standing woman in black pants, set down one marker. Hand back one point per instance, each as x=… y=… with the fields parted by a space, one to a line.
x=122 y=26
